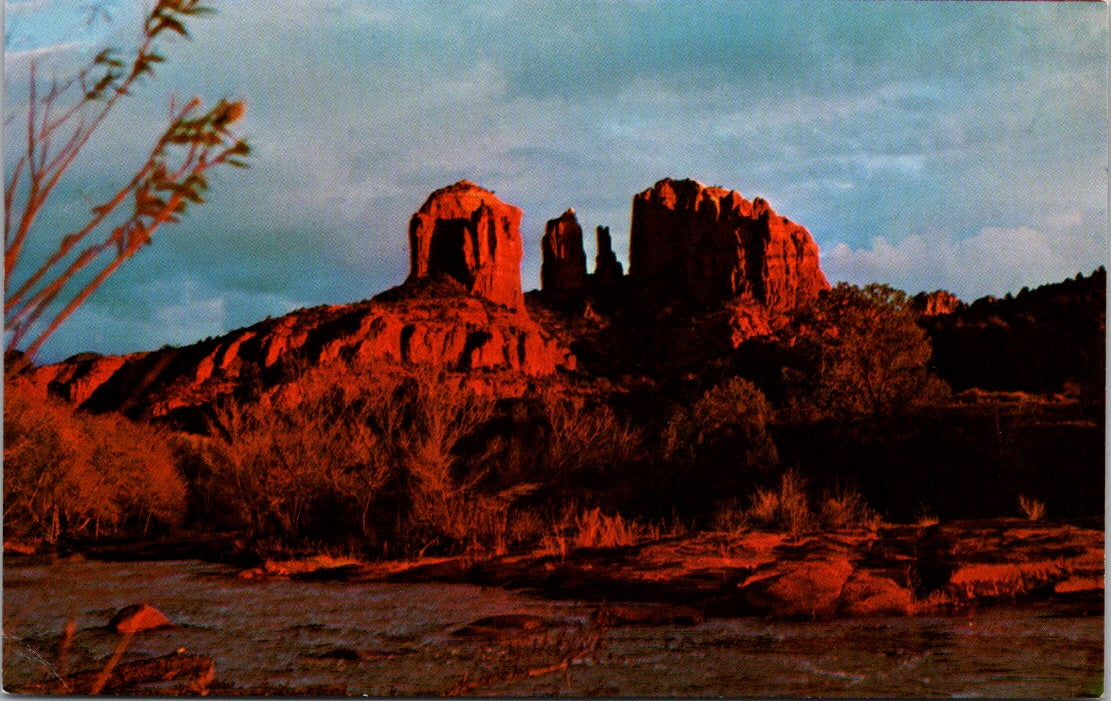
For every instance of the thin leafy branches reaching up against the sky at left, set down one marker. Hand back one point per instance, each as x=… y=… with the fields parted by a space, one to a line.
x=61 y=119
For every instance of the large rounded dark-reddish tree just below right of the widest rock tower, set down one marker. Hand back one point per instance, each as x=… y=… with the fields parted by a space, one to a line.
x=863 y=353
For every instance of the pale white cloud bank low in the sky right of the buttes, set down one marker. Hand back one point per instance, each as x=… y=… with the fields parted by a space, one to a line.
x=995 y=262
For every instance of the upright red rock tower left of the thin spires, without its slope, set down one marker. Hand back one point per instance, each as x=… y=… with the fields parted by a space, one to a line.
x=468 y=234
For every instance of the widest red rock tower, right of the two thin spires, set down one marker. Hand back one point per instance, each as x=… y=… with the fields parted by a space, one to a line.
x=710 y=245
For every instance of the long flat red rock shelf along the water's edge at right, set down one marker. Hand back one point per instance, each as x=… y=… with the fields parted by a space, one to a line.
x=896 y=570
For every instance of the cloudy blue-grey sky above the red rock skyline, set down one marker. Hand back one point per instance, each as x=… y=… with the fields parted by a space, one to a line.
x=958 y=146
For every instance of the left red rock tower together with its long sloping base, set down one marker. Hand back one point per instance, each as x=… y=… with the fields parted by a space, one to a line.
x=462 y=311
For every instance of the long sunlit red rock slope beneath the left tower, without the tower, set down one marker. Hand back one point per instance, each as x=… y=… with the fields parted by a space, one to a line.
x=456 y=333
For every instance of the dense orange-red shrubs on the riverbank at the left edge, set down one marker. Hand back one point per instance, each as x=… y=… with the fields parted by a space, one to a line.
x=69 y=474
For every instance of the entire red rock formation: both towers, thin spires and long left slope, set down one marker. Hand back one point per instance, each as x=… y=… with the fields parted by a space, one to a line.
x=463 y=309
